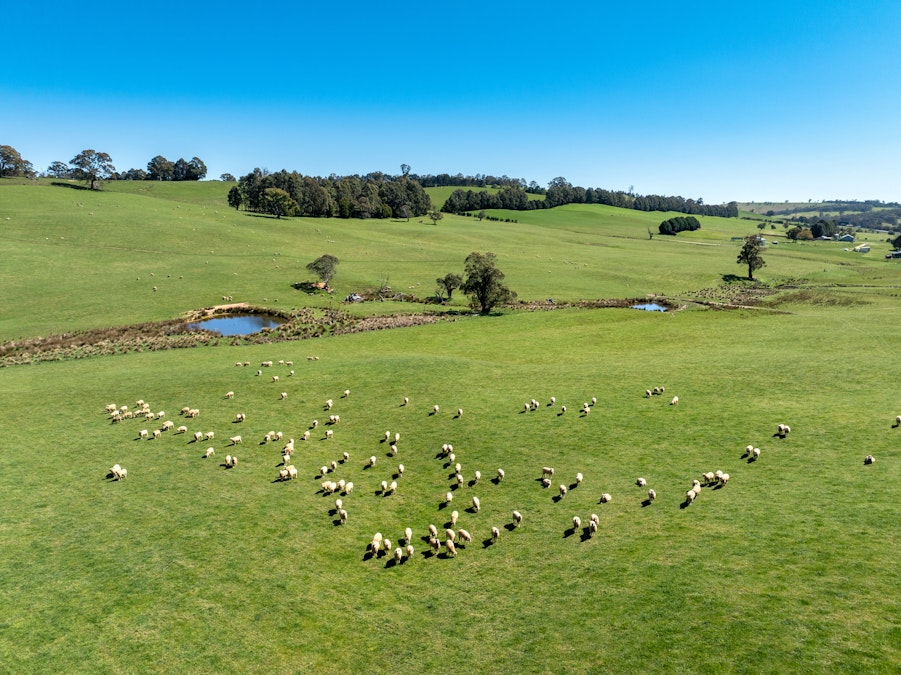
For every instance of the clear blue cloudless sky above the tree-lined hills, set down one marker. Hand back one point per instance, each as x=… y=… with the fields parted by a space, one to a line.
x=763 y=100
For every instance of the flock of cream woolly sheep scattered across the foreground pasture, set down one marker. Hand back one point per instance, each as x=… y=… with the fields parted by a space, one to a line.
x=451 y=538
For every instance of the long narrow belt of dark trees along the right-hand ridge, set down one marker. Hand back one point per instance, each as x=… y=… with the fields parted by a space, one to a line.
x=559 y=192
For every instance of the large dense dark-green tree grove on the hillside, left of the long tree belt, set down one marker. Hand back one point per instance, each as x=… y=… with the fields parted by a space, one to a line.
x=374 y=195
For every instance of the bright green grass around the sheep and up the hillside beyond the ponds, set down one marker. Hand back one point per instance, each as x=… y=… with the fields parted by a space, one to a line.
x=186 y=566
